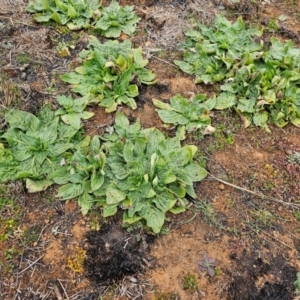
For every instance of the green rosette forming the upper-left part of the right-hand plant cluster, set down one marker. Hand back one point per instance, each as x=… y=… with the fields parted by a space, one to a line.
x=210 y=53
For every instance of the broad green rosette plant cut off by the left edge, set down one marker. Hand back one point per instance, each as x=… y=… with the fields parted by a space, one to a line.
x=34 y=146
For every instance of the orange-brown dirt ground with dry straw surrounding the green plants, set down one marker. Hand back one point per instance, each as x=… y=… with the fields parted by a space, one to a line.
x=250 y=221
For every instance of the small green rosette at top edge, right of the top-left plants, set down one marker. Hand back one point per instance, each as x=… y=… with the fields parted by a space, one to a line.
x=115 y=19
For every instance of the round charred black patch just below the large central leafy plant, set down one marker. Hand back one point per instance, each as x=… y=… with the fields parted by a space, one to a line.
x=114 y=253
